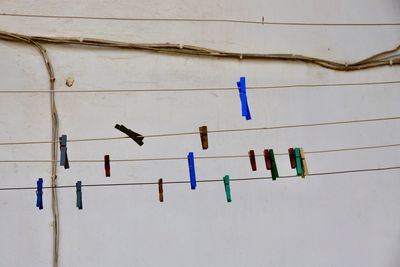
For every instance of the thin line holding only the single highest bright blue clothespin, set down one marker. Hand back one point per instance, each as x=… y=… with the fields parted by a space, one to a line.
x=198 y=89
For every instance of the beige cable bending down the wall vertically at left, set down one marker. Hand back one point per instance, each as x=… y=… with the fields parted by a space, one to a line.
x=54 y=134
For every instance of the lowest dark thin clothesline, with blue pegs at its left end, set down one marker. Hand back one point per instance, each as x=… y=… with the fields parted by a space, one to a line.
x=203 y=181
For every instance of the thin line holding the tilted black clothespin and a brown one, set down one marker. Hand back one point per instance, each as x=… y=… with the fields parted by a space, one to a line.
x=212 y=131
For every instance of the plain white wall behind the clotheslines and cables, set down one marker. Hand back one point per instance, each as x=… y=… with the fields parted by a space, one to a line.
x=343 y=220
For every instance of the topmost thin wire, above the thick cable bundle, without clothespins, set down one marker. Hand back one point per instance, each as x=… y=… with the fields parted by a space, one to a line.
x=202 y=20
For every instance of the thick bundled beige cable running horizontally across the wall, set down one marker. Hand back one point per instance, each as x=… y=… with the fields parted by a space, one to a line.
x=376 y=60
